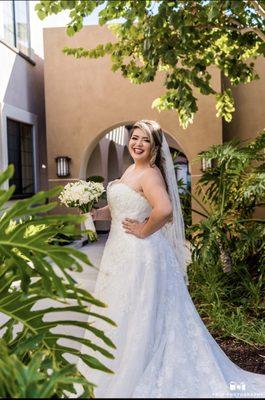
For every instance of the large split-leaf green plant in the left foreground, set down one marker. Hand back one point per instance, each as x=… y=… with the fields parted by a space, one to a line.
x=36 y=292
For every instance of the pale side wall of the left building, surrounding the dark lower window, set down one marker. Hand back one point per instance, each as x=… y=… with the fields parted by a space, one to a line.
x=22 y=98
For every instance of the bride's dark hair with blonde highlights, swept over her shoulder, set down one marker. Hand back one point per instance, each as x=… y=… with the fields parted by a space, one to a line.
x=154 y=132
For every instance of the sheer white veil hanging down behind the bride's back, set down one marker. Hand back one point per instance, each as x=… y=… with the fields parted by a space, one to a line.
x=174 y=231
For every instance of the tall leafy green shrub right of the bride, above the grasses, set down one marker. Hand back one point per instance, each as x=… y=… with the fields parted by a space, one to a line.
x=231 y=191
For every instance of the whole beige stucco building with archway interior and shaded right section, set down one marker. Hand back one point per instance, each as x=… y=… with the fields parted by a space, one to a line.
x=89 y=108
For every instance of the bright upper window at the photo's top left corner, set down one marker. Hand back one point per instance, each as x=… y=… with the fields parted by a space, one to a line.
x=16 y=28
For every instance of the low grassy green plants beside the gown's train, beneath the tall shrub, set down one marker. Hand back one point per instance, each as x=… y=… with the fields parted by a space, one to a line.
x=230 y=305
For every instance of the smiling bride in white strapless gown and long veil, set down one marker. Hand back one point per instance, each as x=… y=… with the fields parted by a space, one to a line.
x=163 y=348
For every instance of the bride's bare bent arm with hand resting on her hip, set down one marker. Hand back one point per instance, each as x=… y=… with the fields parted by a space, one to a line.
x=154 y=189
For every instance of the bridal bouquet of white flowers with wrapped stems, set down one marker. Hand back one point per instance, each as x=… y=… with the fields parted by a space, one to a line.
x=82 y=195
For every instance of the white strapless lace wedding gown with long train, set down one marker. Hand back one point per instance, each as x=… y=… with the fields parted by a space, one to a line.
x=163 y=349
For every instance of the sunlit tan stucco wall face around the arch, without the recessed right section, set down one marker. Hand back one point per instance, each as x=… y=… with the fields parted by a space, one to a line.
x=85 y=99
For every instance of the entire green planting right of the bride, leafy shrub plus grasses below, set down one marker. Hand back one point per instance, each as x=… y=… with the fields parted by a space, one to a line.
x=230 y=239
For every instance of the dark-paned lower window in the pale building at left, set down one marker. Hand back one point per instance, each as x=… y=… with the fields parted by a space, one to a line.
x=20 y=153
